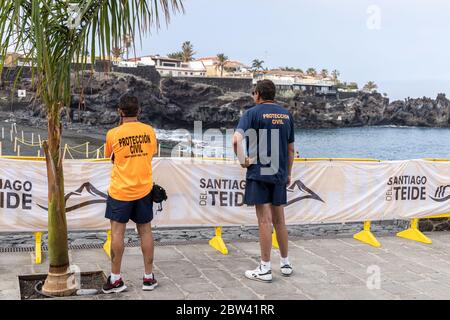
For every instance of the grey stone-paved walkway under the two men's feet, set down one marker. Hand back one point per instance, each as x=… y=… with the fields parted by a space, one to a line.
x=324 y=269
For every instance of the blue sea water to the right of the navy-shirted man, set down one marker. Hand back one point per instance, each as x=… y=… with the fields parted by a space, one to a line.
x=384 y=143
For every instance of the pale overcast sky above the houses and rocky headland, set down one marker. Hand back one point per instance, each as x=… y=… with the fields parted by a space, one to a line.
x=402 y=45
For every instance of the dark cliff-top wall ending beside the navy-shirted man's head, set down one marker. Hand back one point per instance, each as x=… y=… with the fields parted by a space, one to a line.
x=226 y=84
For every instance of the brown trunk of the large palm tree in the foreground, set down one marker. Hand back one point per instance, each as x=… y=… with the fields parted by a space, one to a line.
x=59 y=281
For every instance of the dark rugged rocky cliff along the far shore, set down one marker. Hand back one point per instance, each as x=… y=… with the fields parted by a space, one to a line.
x=173 y=104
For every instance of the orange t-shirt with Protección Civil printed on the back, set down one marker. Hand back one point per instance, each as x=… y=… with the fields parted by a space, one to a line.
x=133 y=145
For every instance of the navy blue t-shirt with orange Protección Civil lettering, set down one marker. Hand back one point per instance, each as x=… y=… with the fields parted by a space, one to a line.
x=269 y=129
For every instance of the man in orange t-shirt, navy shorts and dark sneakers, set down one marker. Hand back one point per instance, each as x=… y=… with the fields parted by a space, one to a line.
x=131 y=146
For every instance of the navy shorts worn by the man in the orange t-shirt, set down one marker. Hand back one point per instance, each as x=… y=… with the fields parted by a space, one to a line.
x=139 y=211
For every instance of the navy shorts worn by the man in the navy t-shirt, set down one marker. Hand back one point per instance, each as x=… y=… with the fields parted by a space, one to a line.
x=258 y=192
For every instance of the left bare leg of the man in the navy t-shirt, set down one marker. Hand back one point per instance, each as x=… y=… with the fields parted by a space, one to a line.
x=264 y=215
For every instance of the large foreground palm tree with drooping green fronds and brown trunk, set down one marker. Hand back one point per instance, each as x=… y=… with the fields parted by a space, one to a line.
x=52 y=35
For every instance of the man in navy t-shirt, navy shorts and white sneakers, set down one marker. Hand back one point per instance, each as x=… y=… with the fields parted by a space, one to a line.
x=268 y=155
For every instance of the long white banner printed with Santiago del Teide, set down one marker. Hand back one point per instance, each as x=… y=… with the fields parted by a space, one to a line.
x=210 y=193
